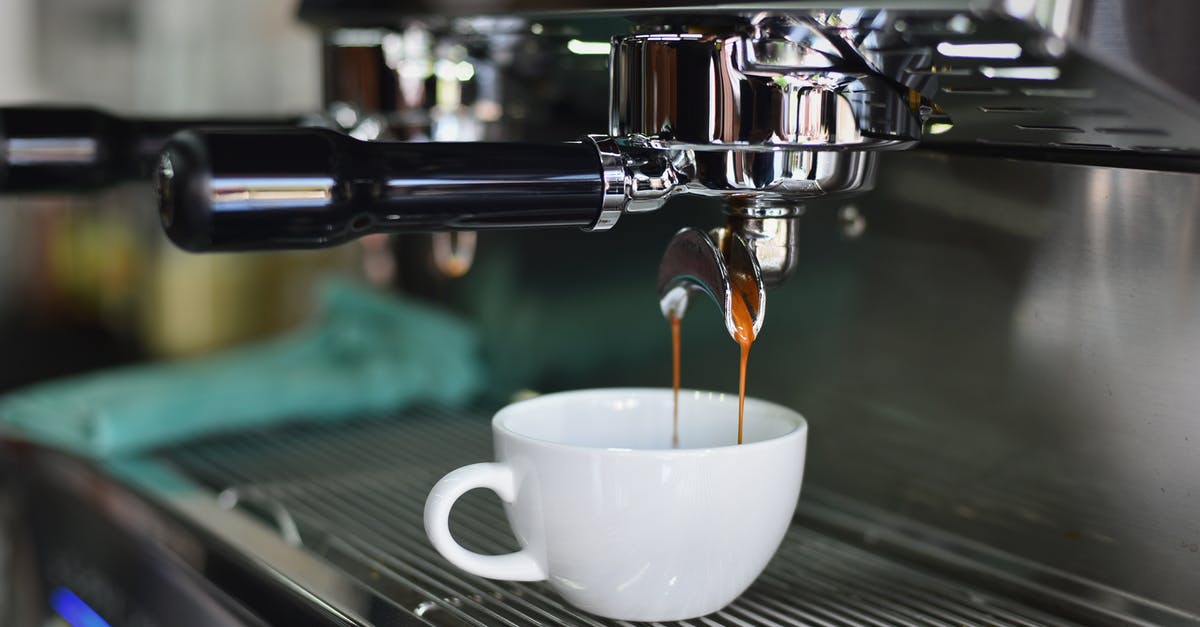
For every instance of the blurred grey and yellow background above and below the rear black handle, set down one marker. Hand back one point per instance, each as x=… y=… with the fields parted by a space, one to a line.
x=89 y=280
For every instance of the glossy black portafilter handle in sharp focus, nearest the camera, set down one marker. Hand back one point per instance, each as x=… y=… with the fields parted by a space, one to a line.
x=310 y=188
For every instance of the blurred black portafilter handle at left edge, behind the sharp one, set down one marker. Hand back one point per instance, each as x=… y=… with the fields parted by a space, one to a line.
x=77 y=148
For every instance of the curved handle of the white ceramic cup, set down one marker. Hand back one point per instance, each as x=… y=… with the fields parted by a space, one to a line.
x=520 y=566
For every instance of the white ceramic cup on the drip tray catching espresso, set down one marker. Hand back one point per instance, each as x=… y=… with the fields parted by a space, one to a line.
x=616 y=521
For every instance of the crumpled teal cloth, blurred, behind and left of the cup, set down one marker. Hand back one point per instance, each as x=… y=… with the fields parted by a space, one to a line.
x=368 y=353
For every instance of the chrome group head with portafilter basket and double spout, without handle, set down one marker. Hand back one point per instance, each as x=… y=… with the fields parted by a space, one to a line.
x=760 y=111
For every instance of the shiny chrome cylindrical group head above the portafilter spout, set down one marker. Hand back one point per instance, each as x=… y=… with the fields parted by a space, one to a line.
x=783 y=86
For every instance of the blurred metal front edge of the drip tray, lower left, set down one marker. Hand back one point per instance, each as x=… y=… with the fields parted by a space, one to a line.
x=218 y=545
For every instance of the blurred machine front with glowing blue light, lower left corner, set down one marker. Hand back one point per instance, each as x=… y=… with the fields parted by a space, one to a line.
x=91 y=530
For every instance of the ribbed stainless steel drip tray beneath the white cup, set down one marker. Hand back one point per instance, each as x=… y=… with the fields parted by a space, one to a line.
x=353 y=493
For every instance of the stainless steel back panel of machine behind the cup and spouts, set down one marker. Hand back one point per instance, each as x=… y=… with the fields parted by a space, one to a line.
x=1007 y=353
